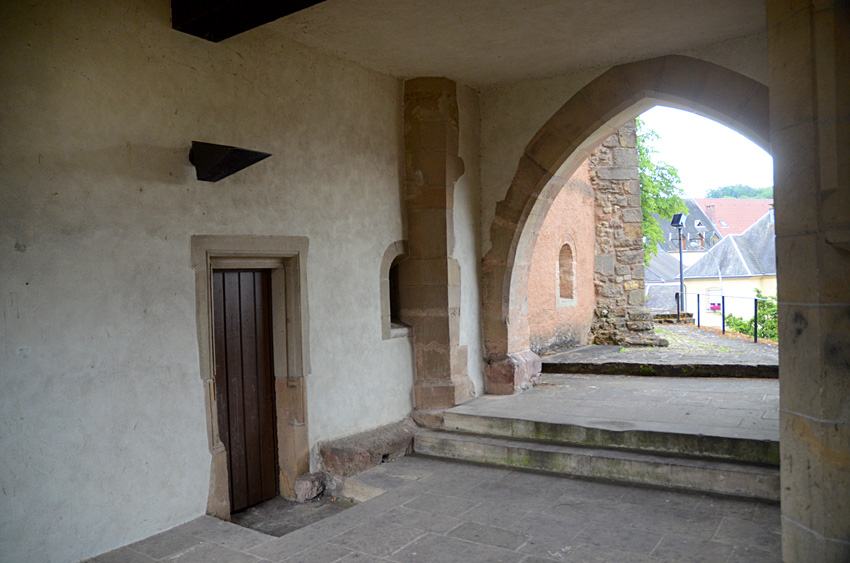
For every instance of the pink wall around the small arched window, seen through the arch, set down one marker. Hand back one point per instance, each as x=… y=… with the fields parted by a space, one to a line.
x=571 y=218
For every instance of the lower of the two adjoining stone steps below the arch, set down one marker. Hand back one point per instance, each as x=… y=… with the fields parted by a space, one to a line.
x=736 y=479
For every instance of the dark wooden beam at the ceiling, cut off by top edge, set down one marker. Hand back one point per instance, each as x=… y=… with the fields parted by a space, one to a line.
x=215 y=20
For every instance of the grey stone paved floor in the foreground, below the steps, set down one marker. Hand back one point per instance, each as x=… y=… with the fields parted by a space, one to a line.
x=442 y=511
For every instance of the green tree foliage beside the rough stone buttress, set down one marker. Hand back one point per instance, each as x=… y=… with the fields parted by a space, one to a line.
x=660 y=192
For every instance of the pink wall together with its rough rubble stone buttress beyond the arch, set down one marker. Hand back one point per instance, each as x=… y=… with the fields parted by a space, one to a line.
x=598 y=213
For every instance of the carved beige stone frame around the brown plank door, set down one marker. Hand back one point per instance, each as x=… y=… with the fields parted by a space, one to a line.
x=286 y=258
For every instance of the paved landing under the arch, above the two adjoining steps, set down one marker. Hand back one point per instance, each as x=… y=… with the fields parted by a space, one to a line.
x=731 y=408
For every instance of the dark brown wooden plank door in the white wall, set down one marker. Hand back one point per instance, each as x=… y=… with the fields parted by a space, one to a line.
x=245 y=383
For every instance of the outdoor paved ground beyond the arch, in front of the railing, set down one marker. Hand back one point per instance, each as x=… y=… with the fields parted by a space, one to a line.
x=688 y=345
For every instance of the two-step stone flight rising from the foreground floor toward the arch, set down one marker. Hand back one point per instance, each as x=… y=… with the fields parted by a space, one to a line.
x=727 y=465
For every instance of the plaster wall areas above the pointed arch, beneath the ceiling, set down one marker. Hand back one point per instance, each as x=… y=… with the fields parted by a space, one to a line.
x=512 y=114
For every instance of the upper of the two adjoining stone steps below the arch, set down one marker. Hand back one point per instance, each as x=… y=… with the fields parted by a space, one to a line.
x=721 y=444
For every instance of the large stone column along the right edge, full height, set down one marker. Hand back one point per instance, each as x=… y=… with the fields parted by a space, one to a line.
x=809 y=58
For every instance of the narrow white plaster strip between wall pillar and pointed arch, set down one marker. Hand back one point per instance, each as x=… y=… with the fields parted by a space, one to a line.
x=467 y=233
